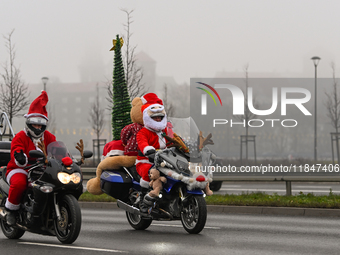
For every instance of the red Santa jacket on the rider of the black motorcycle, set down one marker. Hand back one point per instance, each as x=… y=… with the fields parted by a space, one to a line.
x=22 y=141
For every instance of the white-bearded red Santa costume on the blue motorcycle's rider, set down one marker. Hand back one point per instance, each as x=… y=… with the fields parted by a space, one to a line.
x=150 y=138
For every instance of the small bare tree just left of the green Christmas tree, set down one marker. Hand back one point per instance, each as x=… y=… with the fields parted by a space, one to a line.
x=96 y=119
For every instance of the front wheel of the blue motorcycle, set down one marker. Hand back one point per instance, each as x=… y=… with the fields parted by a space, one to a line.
x=194 y=214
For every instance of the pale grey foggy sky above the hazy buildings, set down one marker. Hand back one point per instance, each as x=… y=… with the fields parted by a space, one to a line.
x=186 y=38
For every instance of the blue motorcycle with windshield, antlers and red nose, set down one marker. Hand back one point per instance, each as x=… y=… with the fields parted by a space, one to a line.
x=181 y=198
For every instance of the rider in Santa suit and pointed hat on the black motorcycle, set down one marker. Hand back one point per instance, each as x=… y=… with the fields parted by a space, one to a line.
x=23 y=142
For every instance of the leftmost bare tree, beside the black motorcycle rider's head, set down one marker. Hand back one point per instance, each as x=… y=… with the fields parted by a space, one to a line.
x=14 y=93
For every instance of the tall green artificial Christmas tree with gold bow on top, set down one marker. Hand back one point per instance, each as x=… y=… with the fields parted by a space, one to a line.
x=120 y=96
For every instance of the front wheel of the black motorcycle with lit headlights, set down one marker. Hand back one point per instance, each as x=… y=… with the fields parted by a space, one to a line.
x=67 y=228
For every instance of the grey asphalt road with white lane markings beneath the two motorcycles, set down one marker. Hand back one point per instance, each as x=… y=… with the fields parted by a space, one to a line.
x=107 y=232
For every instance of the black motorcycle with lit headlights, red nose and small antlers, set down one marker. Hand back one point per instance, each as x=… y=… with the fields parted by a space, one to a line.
x=49 y=205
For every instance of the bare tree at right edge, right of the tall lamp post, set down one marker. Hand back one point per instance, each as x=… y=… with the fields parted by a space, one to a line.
x=333 y=108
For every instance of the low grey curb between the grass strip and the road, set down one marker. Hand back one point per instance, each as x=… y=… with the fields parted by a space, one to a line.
x=229 y=209
